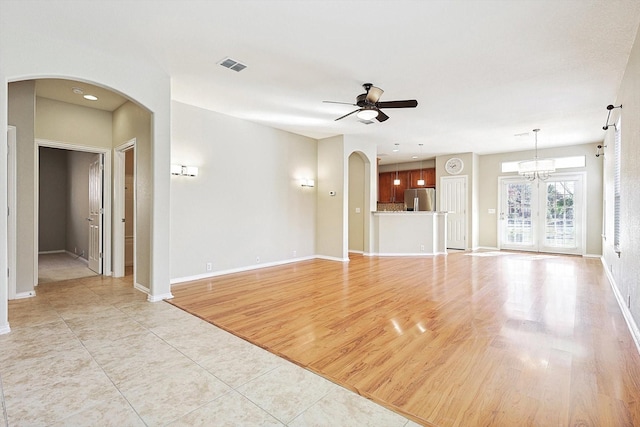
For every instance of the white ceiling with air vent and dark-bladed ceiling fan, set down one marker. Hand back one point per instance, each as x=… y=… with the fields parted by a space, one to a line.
x=482 y=71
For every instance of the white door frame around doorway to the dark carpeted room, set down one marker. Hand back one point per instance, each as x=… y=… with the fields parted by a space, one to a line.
x=106 y=201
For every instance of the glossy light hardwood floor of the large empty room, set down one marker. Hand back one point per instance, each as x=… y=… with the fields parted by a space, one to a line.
x=489 y=338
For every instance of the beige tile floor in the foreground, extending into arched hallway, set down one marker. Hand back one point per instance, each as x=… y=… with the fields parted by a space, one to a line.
x=94 y=352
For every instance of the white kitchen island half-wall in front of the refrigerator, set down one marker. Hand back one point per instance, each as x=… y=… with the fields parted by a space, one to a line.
x=409 y=233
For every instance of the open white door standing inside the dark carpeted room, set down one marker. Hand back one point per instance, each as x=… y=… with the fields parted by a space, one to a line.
x=95 y=215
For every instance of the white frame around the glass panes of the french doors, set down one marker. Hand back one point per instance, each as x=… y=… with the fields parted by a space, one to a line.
x=581 y=234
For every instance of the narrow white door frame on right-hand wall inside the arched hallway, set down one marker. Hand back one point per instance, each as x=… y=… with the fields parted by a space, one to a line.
x=119 y=154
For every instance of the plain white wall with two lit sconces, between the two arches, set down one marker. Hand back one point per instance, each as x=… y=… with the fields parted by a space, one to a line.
x=246 y=202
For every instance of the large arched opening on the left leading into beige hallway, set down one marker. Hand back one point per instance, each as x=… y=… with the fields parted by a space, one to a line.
x=59 y=133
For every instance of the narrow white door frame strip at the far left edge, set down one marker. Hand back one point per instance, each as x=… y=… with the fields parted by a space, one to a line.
x=12 y=225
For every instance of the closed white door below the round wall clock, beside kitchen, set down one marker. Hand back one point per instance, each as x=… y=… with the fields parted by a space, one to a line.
x=453 y=199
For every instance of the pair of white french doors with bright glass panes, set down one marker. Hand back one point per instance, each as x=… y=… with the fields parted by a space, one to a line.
x=543 y=216
